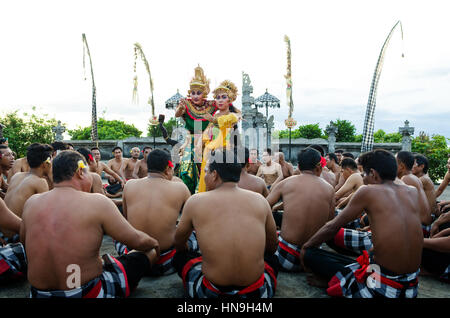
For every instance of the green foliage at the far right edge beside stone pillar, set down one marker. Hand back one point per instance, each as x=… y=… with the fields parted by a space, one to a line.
x=436 y=150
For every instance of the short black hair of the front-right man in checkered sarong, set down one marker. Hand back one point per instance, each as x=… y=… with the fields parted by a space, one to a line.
x=380 y=160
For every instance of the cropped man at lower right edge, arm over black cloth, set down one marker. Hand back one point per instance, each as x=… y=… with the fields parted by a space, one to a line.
x=436 y=249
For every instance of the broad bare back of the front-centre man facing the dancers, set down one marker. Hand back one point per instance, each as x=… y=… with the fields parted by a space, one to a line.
x=233 y=226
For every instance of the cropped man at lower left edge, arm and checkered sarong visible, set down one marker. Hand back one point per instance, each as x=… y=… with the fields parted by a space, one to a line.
x=13 y=263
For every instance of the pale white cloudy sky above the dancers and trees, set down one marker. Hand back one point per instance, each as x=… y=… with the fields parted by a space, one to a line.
x=335 y=47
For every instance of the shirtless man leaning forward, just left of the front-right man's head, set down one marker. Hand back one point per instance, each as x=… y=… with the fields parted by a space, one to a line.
x=353 y=180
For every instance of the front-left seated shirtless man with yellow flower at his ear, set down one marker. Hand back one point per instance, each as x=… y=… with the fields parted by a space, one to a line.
x=62 y=231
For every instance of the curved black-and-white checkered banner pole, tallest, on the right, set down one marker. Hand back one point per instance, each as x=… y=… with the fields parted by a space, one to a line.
x=369 y=122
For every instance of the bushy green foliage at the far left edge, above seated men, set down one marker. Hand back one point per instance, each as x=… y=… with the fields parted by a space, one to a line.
x=25 y=130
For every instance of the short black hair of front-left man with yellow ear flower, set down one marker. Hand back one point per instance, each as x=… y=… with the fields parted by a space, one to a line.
x=65 y=164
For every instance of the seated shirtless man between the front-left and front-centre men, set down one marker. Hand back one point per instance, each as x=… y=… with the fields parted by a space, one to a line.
x=153 y=205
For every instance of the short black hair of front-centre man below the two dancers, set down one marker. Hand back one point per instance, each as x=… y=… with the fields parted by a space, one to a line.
x=228 y=170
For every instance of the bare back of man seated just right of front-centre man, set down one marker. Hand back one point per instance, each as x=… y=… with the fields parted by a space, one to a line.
x=308 y=204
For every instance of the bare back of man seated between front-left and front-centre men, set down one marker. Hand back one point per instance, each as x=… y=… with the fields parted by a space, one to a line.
x=146 y=211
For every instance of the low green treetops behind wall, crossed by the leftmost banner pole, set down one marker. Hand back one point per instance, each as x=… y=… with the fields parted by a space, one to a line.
x=107 y=130
